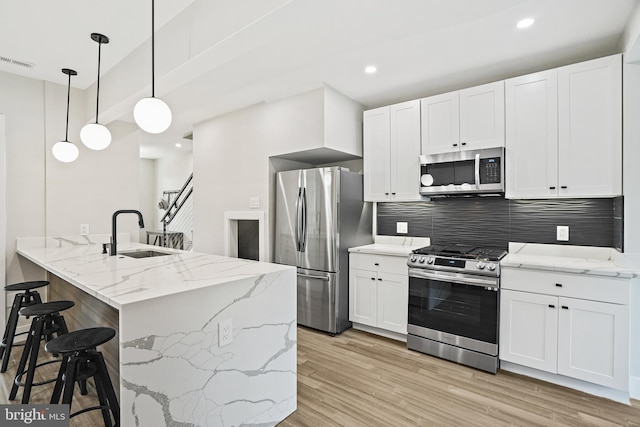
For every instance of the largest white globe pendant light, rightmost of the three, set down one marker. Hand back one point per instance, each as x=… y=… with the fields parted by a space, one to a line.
x=152 y=114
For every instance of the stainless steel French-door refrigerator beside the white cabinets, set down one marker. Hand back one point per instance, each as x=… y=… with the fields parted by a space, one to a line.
x=320 y=214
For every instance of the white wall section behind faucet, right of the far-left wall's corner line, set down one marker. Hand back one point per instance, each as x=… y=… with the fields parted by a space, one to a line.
x=97 y=184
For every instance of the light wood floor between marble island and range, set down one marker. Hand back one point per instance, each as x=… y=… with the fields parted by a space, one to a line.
x=359 y=379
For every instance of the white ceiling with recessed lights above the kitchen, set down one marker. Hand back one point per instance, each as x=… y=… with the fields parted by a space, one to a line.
x=247 y=51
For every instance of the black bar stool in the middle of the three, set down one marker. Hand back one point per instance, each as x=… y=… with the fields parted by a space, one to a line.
x=47 y=321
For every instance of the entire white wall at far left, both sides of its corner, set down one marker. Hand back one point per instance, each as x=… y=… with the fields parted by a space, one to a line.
x=45 y=197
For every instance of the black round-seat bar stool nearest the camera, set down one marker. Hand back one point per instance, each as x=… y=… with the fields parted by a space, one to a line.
x=80 y=362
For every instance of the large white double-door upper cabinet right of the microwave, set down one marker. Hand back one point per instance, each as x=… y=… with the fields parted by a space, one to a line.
x=564 y=131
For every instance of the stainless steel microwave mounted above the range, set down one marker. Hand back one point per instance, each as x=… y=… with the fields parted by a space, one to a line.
x=463 y=173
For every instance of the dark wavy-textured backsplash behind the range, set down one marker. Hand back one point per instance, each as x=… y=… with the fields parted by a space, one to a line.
x=494 y=221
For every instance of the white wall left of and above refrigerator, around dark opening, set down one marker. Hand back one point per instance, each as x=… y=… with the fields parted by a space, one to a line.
x=231 y=157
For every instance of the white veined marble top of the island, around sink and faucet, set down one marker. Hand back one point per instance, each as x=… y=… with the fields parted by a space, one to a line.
x=119 y=280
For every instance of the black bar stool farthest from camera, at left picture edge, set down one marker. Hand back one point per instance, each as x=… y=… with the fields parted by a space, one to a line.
x=21 y=299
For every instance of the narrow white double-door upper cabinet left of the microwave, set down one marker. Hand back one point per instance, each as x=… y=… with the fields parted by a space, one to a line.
x=391 y=152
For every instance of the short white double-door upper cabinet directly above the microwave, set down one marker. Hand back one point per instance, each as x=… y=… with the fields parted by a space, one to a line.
x=468 y=119
